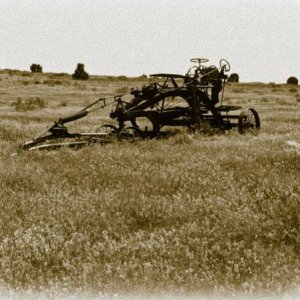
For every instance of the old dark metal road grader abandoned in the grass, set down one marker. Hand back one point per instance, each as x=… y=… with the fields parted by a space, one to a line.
x=193 y=100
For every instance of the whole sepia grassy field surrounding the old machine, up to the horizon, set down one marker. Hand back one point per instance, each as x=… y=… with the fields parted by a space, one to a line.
x=185 y=214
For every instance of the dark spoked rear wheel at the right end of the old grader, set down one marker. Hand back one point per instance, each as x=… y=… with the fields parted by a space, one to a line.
x=248 y=121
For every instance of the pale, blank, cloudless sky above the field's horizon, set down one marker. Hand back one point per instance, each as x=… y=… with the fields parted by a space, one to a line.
x=259 y=38
